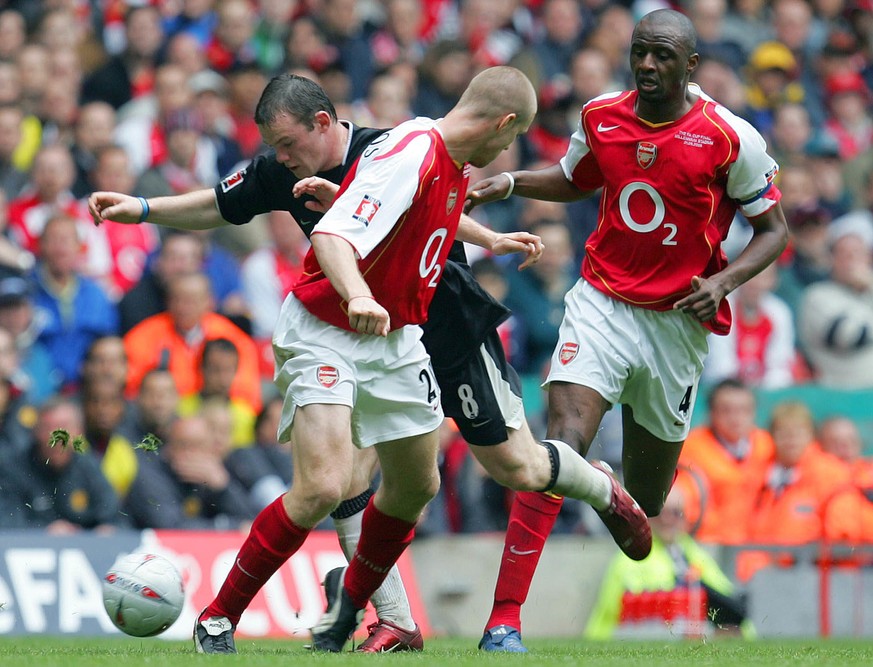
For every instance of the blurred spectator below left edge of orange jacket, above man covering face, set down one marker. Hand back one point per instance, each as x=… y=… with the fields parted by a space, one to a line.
x=155 y=407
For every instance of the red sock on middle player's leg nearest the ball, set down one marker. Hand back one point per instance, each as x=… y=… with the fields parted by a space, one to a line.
x=272 y=540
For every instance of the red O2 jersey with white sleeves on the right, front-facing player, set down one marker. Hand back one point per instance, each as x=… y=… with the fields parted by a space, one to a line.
x=670 y=192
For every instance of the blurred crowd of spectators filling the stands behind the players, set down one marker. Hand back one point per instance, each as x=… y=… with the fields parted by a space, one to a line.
x=121 y=332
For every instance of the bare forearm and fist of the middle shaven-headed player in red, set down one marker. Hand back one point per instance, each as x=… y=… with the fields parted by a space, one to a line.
x=336 y=257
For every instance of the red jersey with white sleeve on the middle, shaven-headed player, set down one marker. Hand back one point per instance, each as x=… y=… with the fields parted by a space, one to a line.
x=399 y=208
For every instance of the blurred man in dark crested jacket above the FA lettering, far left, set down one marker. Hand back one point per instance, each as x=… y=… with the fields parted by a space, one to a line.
x=50 y=485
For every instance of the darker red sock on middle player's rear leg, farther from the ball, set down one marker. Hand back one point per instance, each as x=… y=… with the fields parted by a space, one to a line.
x=383 y=539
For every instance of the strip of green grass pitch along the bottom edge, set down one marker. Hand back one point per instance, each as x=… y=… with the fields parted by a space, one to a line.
x=122 y=652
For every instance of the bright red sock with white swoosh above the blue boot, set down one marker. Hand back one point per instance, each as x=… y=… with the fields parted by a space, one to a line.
x=531 y=519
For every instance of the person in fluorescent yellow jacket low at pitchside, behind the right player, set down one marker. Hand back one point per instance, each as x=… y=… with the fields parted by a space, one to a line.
x=678 y=591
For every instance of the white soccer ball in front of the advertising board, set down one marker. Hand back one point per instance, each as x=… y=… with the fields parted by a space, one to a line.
x=143 y=594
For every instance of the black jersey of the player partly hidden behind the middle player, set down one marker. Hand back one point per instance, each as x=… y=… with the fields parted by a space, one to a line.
x=461 y=314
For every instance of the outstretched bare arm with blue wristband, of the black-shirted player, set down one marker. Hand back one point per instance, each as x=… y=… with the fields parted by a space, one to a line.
x=192 y=210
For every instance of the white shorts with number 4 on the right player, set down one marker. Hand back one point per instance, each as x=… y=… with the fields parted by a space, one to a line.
x=650 y=360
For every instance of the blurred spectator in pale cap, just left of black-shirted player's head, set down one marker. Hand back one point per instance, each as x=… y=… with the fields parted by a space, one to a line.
x=211 y=104
